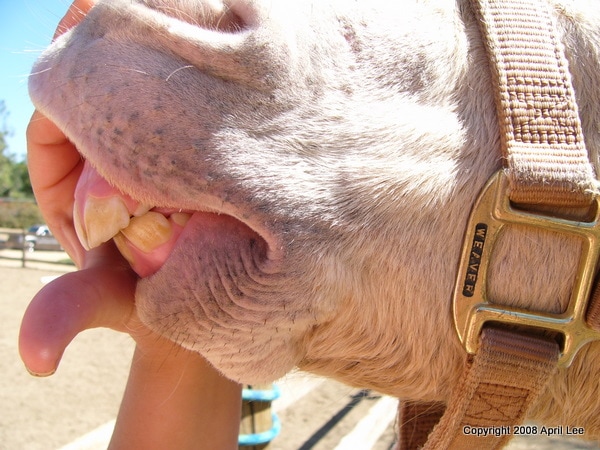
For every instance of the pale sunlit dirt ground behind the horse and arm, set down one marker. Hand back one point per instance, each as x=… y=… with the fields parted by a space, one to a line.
x=48 y=413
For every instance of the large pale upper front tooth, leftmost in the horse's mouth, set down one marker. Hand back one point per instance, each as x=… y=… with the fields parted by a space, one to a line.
x=102 y=219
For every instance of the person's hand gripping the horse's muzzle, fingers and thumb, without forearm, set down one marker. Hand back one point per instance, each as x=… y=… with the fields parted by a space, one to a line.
x=101 y=294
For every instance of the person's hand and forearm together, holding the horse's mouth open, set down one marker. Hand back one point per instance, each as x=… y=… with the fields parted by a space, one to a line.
x=174 y=398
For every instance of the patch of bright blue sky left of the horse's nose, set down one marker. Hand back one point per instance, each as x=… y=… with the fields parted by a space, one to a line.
x=26 y=28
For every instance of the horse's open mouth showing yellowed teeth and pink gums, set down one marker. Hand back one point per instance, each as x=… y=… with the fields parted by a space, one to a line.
x=146 y=235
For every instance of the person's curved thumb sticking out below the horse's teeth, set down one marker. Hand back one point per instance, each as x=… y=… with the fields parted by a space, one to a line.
x=94 y=297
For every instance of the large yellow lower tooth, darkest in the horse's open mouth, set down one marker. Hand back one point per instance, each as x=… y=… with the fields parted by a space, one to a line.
x=148 y=231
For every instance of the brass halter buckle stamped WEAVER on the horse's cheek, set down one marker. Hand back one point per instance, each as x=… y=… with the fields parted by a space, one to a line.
x=471 y=306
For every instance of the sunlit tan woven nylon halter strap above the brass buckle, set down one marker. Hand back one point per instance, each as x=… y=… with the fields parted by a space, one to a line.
x=540 y=130
